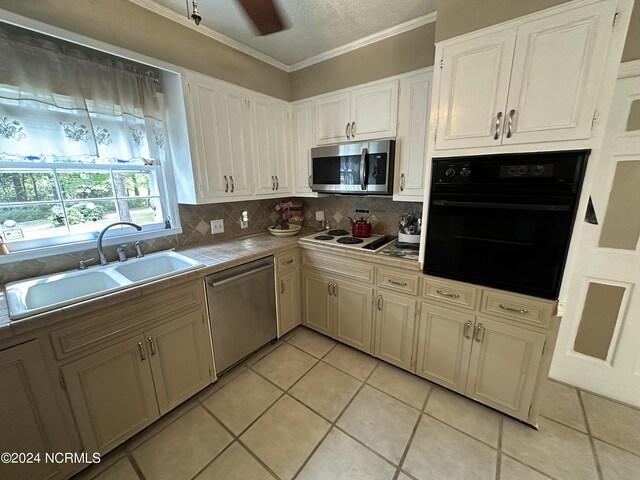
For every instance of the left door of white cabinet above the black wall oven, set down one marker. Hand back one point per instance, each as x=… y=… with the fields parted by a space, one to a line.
x=474 y=83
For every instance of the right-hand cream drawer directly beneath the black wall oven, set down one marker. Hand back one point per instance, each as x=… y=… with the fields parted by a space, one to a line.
x=516 y=307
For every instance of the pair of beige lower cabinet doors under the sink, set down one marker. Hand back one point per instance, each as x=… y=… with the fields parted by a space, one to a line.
x=118 y=391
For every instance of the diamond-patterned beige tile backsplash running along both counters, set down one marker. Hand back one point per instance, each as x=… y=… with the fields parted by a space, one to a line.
x=196 y=229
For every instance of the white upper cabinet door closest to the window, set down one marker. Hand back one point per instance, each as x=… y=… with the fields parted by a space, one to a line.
x=213 y=161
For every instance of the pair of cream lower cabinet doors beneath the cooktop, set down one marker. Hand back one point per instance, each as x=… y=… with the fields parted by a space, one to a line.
x=338 y=308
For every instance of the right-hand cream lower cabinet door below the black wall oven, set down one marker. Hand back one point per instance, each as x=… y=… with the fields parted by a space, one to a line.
x=504 y=366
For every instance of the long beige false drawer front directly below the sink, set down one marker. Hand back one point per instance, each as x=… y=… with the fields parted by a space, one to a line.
x=129 y=318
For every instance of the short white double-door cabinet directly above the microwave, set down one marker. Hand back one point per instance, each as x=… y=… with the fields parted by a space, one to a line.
x=362 y=113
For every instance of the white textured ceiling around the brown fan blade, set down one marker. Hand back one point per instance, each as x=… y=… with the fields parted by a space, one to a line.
x=315 y=26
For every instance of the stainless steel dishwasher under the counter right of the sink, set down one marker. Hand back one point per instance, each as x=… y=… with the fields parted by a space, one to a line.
x=242 y=311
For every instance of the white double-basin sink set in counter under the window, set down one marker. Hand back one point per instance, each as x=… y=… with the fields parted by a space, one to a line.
x=37 y=295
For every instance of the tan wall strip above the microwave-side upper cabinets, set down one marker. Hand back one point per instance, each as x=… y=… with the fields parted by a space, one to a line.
x=401 y=53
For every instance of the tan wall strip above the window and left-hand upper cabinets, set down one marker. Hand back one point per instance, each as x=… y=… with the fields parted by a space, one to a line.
x=126 y=25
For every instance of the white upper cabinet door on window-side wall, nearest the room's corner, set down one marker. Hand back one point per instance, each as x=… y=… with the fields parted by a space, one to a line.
x=280 y=140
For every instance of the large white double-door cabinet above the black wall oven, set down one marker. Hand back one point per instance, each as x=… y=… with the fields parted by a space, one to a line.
x=537 y=81
